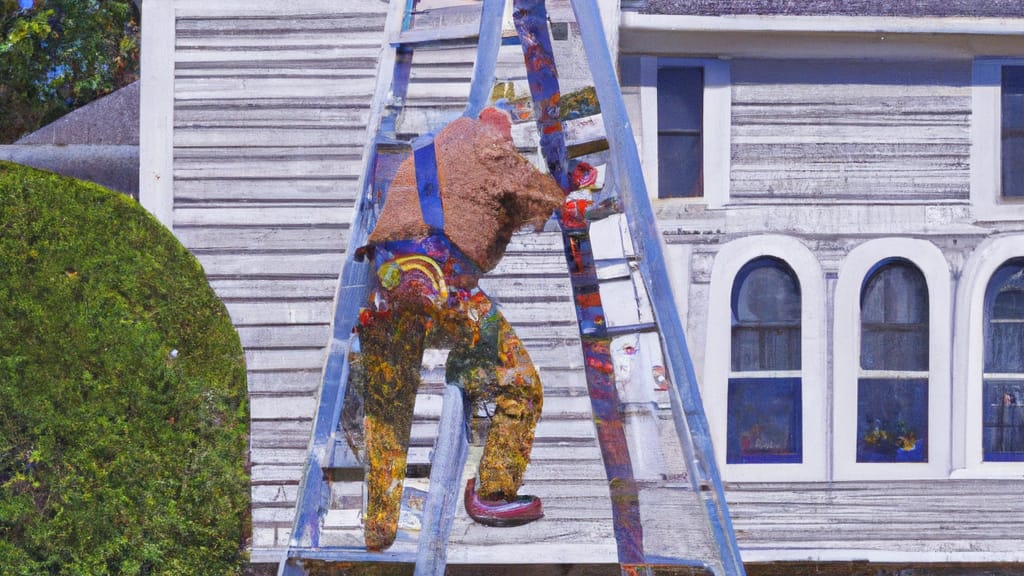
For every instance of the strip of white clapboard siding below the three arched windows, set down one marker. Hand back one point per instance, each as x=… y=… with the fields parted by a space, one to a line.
x=943 y=517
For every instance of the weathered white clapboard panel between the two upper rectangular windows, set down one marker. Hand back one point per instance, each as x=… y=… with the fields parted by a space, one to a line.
x=854 y=131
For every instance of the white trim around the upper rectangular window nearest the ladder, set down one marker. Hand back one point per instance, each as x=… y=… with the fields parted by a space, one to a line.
x=716 y=127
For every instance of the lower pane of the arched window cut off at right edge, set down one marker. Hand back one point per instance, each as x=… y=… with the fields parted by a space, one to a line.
x=1003 y=432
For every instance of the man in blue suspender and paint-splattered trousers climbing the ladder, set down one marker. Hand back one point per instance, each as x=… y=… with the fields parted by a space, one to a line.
x=450 y=214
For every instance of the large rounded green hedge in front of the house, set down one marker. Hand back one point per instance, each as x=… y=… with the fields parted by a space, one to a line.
x=123 y=414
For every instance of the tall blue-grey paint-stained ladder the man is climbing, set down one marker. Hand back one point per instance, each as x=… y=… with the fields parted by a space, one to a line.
x=642 y=259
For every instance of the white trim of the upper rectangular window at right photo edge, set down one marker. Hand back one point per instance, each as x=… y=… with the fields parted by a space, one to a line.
x=987 y=142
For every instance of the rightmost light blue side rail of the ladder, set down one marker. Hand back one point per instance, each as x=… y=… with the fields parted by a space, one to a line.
x=644 y=228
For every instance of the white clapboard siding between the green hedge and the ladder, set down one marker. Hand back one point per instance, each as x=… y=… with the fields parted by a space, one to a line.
x=272 y=107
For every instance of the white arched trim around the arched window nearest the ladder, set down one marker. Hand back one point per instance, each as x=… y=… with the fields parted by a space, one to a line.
x=718 y=362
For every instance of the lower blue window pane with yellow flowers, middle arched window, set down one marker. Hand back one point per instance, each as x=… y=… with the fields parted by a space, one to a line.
x=892 y=421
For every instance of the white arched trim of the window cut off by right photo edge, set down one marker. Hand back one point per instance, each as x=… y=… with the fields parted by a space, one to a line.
x=970 y=361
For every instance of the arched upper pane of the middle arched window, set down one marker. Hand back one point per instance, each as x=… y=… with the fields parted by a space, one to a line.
x=894 y=319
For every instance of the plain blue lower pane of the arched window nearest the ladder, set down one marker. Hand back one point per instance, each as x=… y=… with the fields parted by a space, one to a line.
x=764 y=422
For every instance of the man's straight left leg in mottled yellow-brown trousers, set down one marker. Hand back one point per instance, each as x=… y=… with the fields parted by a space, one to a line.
x=393 y=354
